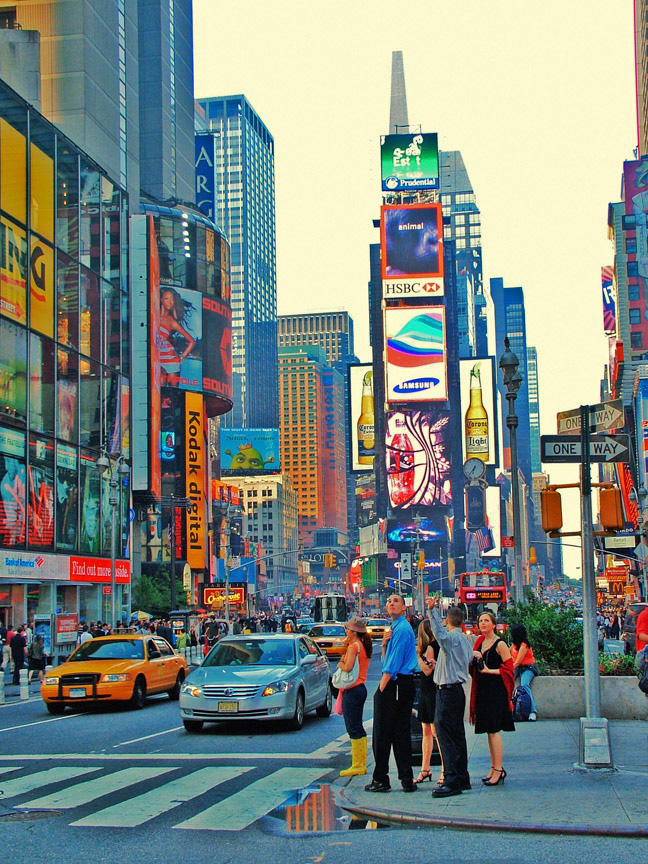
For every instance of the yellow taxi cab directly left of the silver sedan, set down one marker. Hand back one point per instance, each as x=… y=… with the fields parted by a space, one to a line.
x=124 y=667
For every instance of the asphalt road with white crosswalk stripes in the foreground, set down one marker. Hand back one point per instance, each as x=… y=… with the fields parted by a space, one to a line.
x=97 y=784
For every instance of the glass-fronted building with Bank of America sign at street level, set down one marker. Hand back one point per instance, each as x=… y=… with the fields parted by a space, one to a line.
x=64 y=374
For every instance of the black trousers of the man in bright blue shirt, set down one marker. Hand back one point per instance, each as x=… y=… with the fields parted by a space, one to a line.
x=391 y=729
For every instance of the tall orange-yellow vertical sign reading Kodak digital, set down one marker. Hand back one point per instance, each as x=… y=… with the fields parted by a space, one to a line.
x=195 y=466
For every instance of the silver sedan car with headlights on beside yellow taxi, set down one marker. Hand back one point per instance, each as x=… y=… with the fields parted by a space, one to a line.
x=258 y=677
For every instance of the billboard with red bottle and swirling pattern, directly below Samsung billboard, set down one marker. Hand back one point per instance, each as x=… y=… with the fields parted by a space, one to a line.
x=417 y=452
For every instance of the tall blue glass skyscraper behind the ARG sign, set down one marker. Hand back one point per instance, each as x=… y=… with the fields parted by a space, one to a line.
x=245 y=209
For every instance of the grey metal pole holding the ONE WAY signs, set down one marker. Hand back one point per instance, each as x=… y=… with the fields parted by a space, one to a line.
x=590 y=638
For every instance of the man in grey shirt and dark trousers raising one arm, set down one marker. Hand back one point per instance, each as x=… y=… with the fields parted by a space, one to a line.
x=450 y=674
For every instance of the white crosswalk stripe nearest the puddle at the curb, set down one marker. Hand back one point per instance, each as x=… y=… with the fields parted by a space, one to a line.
x=256 y=800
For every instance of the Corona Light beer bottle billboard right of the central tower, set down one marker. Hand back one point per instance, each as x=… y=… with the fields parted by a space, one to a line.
x=477 y=384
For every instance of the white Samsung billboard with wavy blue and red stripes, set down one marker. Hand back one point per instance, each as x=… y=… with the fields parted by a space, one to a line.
x=416 y=358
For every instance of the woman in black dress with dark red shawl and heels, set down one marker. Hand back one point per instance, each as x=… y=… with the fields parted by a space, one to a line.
x=492 y=685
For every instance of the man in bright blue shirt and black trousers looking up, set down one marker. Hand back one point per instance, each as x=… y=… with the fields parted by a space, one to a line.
x=393 y=702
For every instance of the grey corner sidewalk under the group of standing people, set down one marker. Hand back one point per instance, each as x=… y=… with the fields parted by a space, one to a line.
x=543 y=792
